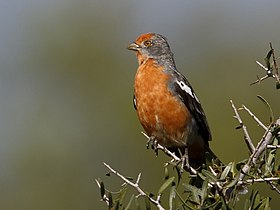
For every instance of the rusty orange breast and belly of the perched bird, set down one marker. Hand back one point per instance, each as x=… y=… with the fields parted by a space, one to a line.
x=161 y=114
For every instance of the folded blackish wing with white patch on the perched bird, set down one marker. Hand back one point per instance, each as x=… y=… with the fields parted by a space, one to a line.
x=188 y=97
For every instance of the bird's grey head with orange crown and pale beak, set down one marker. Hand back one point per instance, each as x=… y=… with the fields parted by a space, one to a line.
x=151 y=45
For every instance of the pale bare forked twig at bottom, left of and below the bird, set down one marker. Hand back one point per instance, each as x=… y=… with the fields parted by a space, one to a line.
x=136 y=186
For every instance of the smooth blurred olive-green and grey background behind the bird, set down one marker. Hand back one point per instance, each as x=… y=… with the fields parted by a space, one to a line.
x=66 y=85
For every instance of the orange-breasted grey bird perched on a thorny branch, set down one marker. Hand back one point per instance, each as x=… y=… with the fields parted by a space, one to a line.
x=166 y=104
